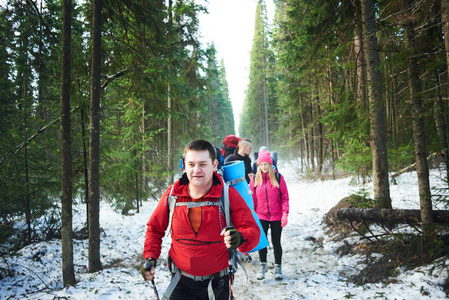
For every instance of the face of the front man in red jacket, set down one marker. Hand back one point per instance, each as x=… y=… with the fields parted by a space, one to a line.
x=200 y=168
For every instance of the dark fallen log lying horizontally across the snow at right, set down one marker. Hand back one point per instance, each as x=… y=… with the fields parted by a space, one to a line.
x=390 y=215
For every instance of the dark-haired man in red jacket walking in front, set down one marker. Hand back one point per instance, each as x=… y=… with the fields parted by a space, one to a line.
x=198 y=257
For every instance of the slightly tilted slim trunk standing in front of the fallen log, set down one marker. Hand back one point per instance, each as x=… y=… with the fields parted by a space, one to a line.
x=418 y=130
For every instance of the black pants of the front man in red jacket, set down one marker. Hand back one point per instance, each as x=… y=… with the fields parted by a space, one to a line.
x=189 y=289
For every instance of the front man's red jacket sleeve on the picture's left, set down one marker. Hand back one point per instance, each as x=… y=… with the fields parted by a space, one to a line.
x=156 y=227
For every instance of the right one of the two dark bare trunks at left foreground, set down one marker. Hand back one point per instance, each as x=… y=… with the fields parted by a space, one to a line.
x=94 y=145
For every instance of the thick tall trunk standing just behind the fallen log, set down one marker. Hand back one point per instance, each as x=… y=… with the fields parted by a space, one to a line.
x=377 y=133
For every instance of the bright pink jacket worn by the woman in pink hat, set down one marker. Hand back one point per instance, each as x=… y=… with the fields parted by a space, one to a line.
x=269 y=204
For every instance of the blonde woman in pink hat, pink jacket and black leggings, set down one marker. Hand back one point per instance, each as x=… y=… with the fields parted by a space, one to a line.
x=270 y=196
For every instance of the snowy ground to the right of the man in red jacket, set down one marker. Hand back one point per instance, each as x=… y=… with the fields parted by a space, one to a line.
x=311 y=267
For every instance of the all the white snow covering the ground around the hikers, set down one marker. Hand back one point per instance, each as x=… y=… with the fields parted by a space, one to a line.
x=312 y=269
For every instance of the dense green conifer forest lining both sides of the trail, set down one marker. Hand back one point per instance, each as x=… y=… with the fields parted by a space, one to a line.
x=98 y=99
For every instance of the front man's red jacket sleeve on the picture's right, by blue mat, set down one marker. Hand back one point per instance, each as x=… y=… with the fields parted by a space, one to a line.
x=243 y=221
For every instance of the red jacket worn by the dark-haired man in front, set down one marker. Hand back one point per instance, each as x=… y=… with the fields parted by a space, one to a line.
x=202 y=253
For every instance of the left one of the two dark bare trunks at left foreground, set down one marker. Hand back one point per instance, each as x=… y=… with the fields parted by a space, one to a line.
x=68 y=273
